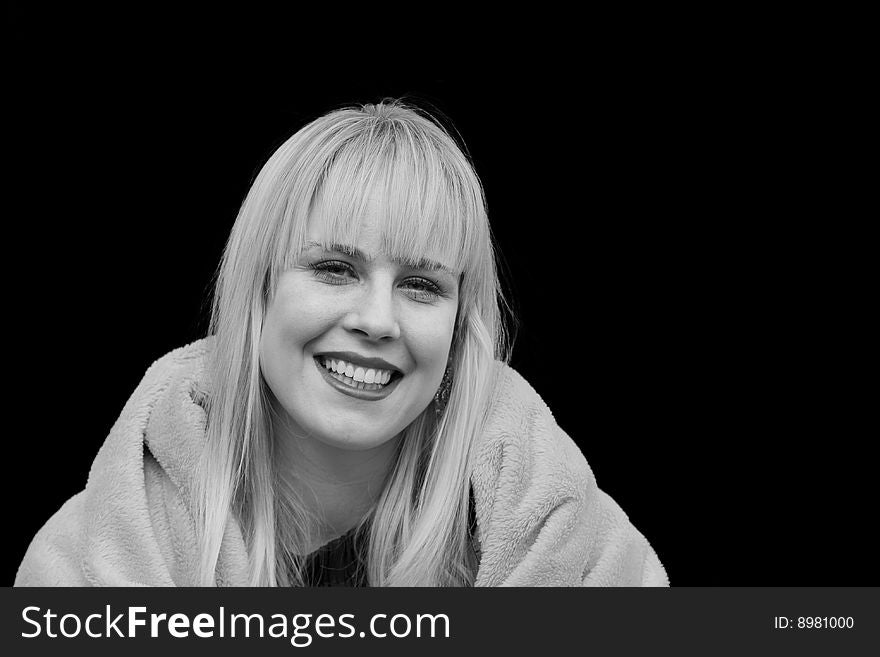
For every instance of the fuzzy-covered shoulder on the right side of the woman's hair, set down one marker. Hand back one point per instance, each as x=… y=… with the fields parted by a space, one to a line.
x=544 y=519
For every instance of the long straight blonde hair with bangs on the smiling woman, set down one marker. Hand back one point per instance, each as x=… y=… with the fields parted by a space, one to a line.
x=431 y=204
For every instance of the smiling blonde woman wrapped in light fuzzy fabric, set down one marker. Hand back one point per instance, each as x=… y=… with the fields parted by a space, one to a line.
x=350 y=420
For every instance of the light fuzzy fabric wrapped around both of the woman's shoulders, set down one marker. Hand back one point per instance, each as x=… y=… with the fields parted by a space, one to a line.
x=541 y=519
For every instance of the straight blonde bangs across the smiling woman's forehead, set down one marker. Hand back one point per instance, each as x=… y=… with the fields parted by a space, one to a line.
x=429 y=203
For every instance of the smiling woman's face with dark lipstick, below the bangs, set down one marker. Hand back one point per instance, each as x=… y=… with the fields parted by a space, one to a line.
x=354 y=344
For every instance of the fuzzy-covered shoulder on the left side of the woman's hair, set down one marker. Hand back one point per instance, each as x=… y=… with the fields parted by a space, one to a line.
x=131 y=524
